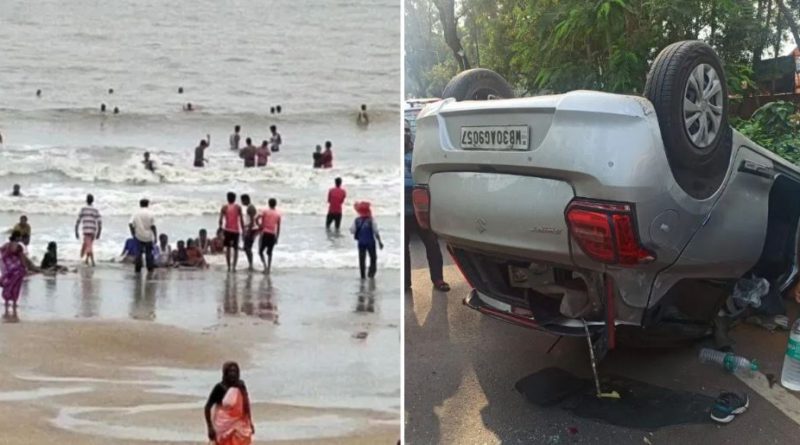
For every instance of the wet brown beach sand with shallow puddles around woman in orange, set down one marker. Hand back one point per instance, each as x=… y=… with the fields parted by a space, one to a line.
x=100 y=356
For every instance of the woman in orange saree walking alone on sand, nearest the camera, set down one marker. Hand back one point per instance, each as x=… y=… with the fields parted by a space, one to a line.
x=228 y=410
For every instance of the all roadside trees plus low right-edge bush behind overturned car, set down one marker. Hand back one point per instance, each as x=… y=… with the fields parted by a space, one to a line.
x=553 y=46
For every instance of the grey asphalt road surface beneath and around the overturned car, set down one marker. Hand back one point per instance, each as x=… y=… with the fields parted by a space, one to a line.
x=461 y=367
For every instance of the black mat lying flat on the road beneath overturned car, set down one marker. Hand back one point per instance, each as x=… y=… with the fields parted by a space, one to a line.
x=641 y=405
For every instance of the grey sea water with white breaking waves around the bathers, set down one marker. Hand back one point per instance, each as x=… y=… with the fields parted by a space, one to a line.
x=234 y=62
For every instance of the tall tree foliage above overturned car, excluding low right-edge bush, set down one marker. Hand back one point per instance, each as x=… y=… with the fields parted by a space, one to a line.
x=608 y=45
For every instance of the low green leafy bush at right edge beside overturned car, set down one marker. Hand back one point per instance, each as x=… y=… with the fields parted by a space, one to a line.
x=776 y=127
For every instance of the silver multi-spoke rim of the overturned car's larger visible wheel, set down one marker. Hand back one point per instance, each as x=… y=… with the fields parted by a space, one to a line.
x=702 y=105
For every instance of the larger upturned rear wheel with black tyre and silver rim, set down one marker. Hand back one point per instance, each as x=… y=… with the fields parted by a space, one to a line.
x=686 y=84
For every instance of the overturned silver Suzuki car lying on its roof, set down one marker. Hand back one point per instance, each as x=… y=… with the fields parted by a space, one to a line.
x=623 y=214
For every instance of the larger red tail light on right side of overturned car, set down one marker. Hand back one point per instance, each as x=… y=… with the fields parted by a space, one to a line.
x=606 y=232
